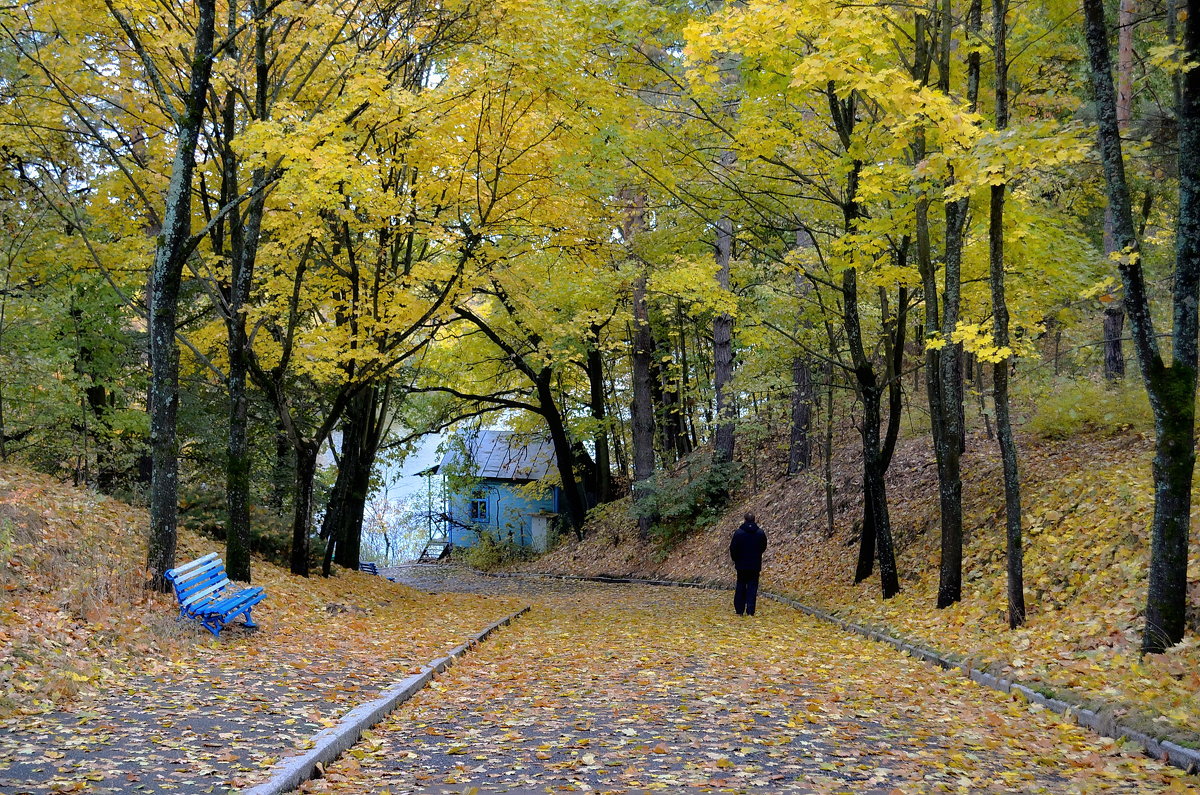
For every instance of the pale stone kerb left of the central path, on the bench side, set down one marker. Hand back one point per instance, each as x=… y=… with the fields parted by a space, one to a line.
x=332 y=743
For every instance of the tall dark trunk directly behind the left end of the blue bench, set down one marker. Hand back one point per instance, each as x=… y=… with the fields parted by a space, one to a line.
x=164 y=292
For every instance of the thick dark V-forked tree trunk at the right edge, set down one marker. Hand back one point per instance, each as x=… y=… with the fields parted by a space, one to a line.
x=1172 y=391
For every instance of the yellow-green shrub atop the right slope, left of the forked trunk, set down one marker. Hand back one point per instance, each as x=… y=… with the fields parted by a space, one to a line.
x=1070 y=408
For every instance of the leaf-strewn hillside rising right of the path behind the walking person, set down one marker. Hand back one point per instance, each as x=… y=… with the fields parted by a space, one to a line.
x=1088 y=504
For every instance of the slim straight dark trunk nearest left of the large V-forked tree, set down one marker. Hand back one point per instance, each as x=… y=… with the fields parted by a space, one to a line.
x=1016 y=557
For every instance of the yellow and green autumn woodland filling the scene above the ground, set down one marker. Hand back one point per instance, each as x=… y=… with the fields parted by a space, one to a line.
x=664 y=236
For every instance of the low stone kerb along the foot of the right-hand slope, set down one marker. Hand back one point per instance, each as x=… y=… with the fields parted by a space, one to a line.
x=1187 y=760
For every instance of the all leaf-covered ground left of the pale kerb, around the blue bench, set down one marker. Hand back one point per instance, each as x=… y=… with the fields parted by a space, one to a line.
x=105 y=691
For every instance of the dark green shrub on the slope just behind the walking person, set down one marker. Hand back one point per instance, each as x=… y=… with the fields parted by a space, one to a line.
x=686 y=503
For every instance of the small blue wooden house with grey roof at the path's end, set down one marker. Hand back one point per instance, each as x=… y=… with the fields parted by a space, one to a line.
x=491 y=482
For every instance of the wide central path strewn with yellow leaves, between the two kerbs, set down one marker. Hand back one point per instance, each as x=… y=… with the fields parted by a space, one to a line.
x=623 y=689
